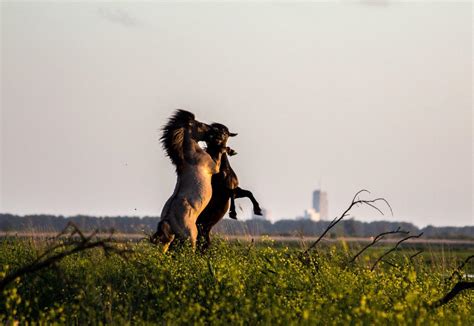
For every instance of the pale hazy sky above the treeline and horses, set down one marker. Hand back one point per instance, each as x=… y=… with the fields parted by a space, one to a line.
x=355 y=94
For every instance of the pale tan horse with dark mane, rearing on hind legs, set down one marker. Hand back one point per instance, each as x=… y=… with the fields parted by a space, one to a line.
x=194 y=167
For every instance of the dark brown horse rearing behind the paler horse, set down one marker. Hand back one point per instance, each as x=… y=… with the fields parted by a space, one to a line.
x=225 y=187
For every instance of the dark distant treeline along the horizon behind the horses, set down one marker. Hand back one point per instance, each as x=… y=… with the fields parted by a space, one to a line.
x=146 y=225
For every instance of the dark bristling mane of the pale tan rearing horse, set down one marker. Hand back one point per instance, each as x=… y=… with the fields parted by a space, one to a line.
x=173 y=136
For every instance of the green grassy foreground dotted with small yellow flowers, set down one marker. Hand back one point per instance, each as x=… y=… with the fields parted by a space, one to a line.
x=234 y=283
